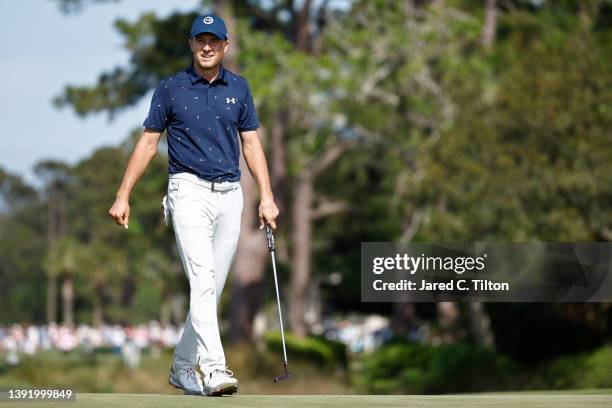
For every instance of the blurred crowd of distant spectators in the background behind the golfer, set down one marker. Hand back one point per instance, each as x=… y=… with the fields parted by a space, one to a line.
x=360 y=333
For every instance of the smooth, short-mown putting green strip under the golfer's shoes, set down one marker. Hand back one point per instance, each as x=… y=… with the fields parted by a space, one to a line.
x=523 y=400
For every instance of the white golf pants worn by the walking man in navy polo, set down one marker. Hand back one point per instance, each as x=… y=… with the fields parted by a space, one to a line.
x=206 y=220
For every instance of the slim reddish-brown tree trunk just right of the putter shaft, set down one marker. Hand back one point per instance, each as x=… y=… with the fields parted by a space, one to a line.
x=302 y=248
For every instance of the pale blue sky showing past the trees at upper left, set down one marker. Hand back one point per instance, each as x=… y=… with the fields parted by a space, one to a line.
x=42 y=51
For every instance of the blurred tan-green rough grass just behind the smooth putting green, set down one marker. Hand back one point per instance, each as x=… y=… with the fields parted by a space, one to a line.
x=106 y=374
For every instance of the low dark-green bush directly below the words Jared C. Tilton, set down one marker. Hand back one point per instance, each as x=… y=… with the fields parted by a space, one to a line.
x=411 y=368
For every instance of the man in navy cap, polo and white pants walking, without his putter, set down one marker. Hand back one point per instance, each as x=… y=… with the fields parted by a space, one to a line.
x=203 y=109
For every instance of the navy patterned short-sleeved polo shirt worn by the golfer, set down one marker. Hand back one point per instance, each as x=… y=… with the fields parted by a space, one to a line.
x=202 y=120
